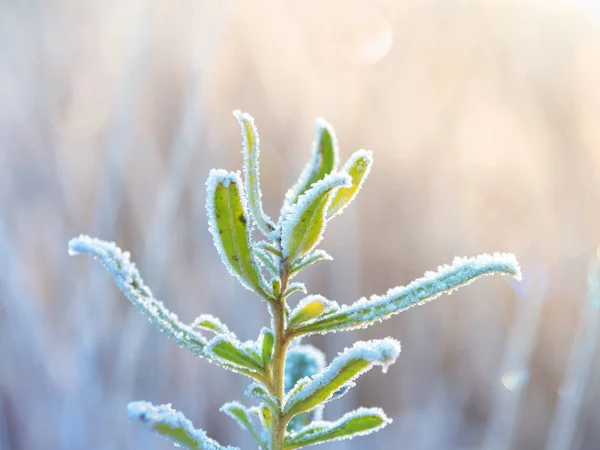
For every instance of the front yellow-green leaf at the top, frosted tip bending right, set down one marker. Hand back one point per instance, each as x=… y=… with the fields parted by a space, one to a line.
x=304 y=223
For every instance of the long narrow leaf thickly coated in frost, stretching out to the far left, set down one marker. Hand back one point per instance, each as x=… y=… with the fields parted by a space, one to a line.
x=128 y=279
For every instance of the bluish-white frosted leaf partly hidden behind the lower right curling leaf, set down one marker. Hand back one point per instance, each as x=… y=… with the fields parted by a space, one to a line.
x=301 y=363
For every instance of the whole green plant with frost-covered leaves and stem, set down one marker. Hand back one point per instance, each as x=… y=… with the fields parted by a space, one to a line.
x=290 y=382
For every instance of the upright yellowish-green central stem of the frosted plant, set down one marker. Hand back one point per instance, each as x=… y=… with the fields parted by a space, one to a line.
x=281 y=342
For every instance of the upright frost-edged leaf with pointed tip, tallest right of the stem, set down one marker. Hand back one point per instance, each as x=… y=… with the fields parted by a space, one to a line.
x=323 y=161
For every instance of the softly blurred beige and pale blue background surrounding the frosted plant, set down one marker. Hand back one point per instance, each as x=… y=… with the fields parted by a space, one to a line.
x=484 y=118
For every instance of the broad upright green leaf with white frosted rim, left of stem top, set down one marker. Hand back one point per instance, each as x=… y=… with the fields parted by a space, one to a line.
x=228 y=223
